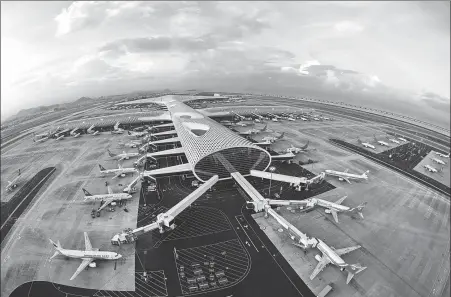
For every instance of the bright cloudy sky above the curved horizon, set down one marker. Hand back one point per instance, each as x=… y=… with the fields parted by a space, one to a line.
x=392 y=52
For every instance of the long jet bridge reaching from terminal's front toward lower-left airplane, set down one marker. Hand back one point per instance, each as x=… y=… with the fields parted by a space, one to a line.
x=165 y=220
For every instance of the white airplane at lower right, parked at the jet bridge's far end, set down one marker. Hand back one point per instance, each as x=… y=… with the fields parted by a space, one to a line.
x=331 y=255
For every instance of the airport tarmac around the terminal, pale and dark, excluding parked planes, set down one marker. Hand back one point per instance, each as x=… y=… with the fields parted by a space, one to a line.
x=404 y=236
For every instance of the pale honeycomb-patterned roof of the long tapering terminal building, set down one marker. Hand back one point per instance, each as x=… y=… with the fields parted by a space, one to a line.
x=216 y=138
